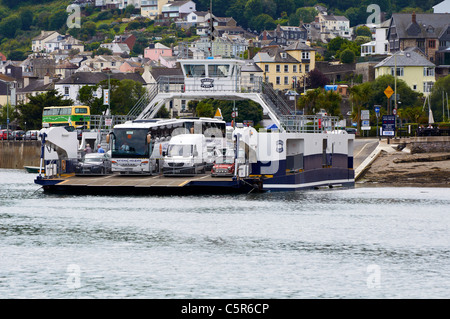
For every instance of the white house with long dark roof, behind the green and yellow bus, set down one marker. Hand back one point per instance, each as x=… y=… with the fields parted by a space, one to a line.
x=69 y=87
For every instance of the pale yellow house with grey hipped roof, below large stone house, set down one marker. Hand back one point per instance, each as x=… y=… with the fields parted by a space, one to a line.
x=410 y=66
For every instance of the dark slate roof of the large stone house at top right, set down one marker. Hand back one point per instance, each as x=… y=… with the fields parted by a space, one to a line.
x=427 y=25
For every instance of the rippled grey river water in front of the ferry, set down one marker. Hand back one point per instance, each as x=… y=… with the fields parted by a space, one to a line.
x=348 y=243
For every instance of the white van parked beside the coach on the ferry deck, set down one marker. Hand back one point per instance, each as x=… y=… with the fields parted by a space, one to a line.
x=186 y=155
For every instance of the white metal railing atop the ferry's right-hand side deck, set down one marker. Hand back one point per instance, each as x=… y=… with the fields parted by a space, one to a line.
x=309 y=123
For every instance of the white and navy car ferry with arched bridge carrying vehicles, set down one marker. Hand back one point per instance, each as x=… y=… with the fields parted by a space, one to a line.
x=299 y=152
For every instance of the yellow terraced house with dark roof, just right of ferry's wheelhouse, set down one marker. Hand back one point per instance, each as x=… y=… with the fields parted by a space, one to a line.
x=286 y=68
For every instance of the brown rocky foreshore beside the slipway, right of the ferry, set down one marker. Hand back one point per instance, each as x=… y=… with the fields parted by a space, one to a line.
x=402 y=169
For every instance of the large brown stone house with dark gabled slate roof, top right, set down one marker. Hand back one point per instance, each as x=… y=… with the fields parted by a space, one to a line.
x=429 y=32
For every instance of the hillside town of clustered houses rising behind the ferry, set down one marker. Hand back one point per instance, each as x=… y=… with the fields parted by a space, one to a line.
x=413 y=47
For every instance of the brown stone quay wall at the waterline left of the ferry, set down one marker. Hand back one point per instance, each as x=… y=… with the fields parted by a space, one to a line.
x=17 y=154
